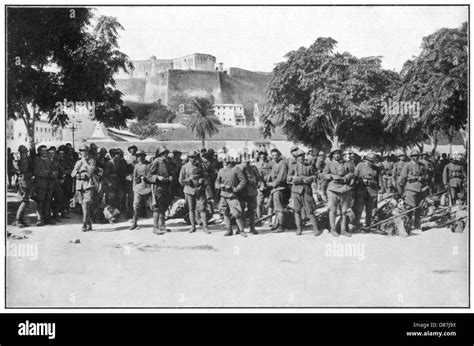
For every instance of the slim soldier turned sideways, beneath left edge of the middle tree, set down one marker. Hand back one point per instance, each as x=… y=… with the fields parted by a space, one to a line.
x=279 y=186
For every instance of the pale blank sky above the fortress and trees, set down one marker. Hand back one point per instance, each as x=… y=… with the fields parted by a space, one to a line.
x=256 y=38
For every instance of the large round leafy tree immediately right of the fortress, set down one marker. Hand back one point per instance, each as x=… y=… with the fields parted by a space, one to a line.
x=320 y=98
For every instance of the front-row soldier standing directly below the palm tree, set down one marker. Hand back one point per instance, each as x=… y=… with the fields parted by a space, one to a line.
x=192 y=178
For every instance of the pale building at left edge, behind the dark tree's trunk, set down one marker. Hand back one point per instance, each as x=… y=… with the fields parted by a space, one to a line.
x=45 y=133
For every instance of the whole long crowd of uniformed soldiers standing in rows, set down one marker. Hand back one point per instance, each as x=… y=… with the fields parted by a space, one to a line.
x=245 y=188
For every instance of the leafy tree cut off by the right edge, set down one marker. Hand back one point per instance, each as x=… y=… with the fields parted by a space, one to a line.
x=437 y=81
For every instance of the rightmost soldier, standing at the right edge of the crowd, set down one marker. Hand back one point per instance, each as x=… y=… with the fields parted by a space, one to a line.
x=454 y=179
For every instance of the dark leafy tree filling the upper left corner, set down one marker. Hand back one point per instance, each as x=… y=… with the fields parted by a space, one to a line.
x=54 y=55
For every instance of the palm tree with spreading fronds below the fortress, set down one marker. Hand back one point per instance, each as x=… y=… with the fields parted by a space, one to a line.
x=203 y=122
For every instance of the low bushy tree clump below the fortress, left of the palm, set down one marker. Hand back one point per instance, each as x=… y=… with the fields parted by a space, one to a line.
x=148 y=115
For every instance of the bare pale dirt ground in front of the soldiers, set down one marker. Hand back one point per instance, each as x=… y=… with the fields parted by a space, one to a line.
x=115 y=267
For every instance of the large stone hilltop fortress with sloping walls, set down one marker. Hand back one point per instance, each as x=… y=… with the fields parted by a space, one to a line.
x=176 y=82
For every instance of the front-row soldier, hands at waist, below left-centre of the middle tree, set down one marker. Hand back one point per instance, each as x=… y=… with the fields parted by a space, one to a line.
x=301 y=176
